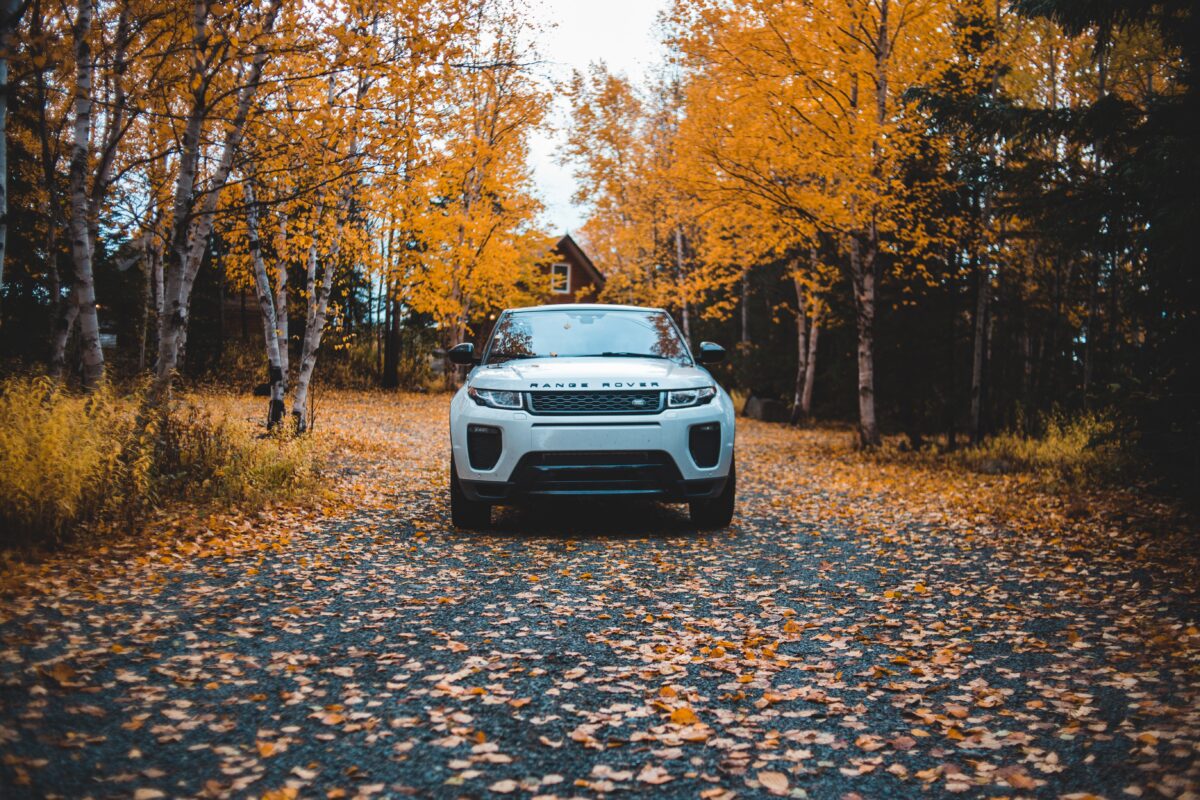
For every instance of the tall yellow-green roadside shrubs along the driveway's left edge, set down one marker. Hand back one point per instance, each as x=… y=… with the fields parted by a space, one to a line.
x=74 y=461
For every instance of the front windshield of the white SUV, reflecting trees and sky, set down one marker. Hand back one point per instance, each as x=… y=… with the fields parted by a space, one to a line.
x=586 y=333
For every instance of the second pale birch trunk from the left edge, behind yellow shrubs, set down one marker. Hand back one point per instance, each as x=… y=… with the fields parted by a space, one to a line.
x=92 y=356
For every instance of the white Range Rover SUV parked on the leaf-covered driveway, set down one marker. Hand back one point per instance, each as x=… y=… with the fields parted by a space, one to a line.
x=590 y=400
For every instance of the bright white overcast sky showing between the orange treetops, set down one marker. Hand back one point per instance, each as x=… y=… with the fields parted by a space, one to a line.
x=623 y=34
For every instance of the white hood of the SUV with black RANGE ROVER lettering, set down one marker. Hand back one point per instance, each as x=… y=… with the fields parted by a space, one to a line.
x=602 y=374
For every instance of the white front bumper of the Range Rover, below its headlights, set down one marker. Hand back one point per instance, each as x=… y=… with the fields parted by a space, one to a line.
x=647 y=455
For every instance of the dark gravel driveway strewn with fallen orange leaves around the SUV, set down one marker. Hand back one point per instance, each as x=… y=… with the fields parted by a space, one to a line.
x=863 y=629
